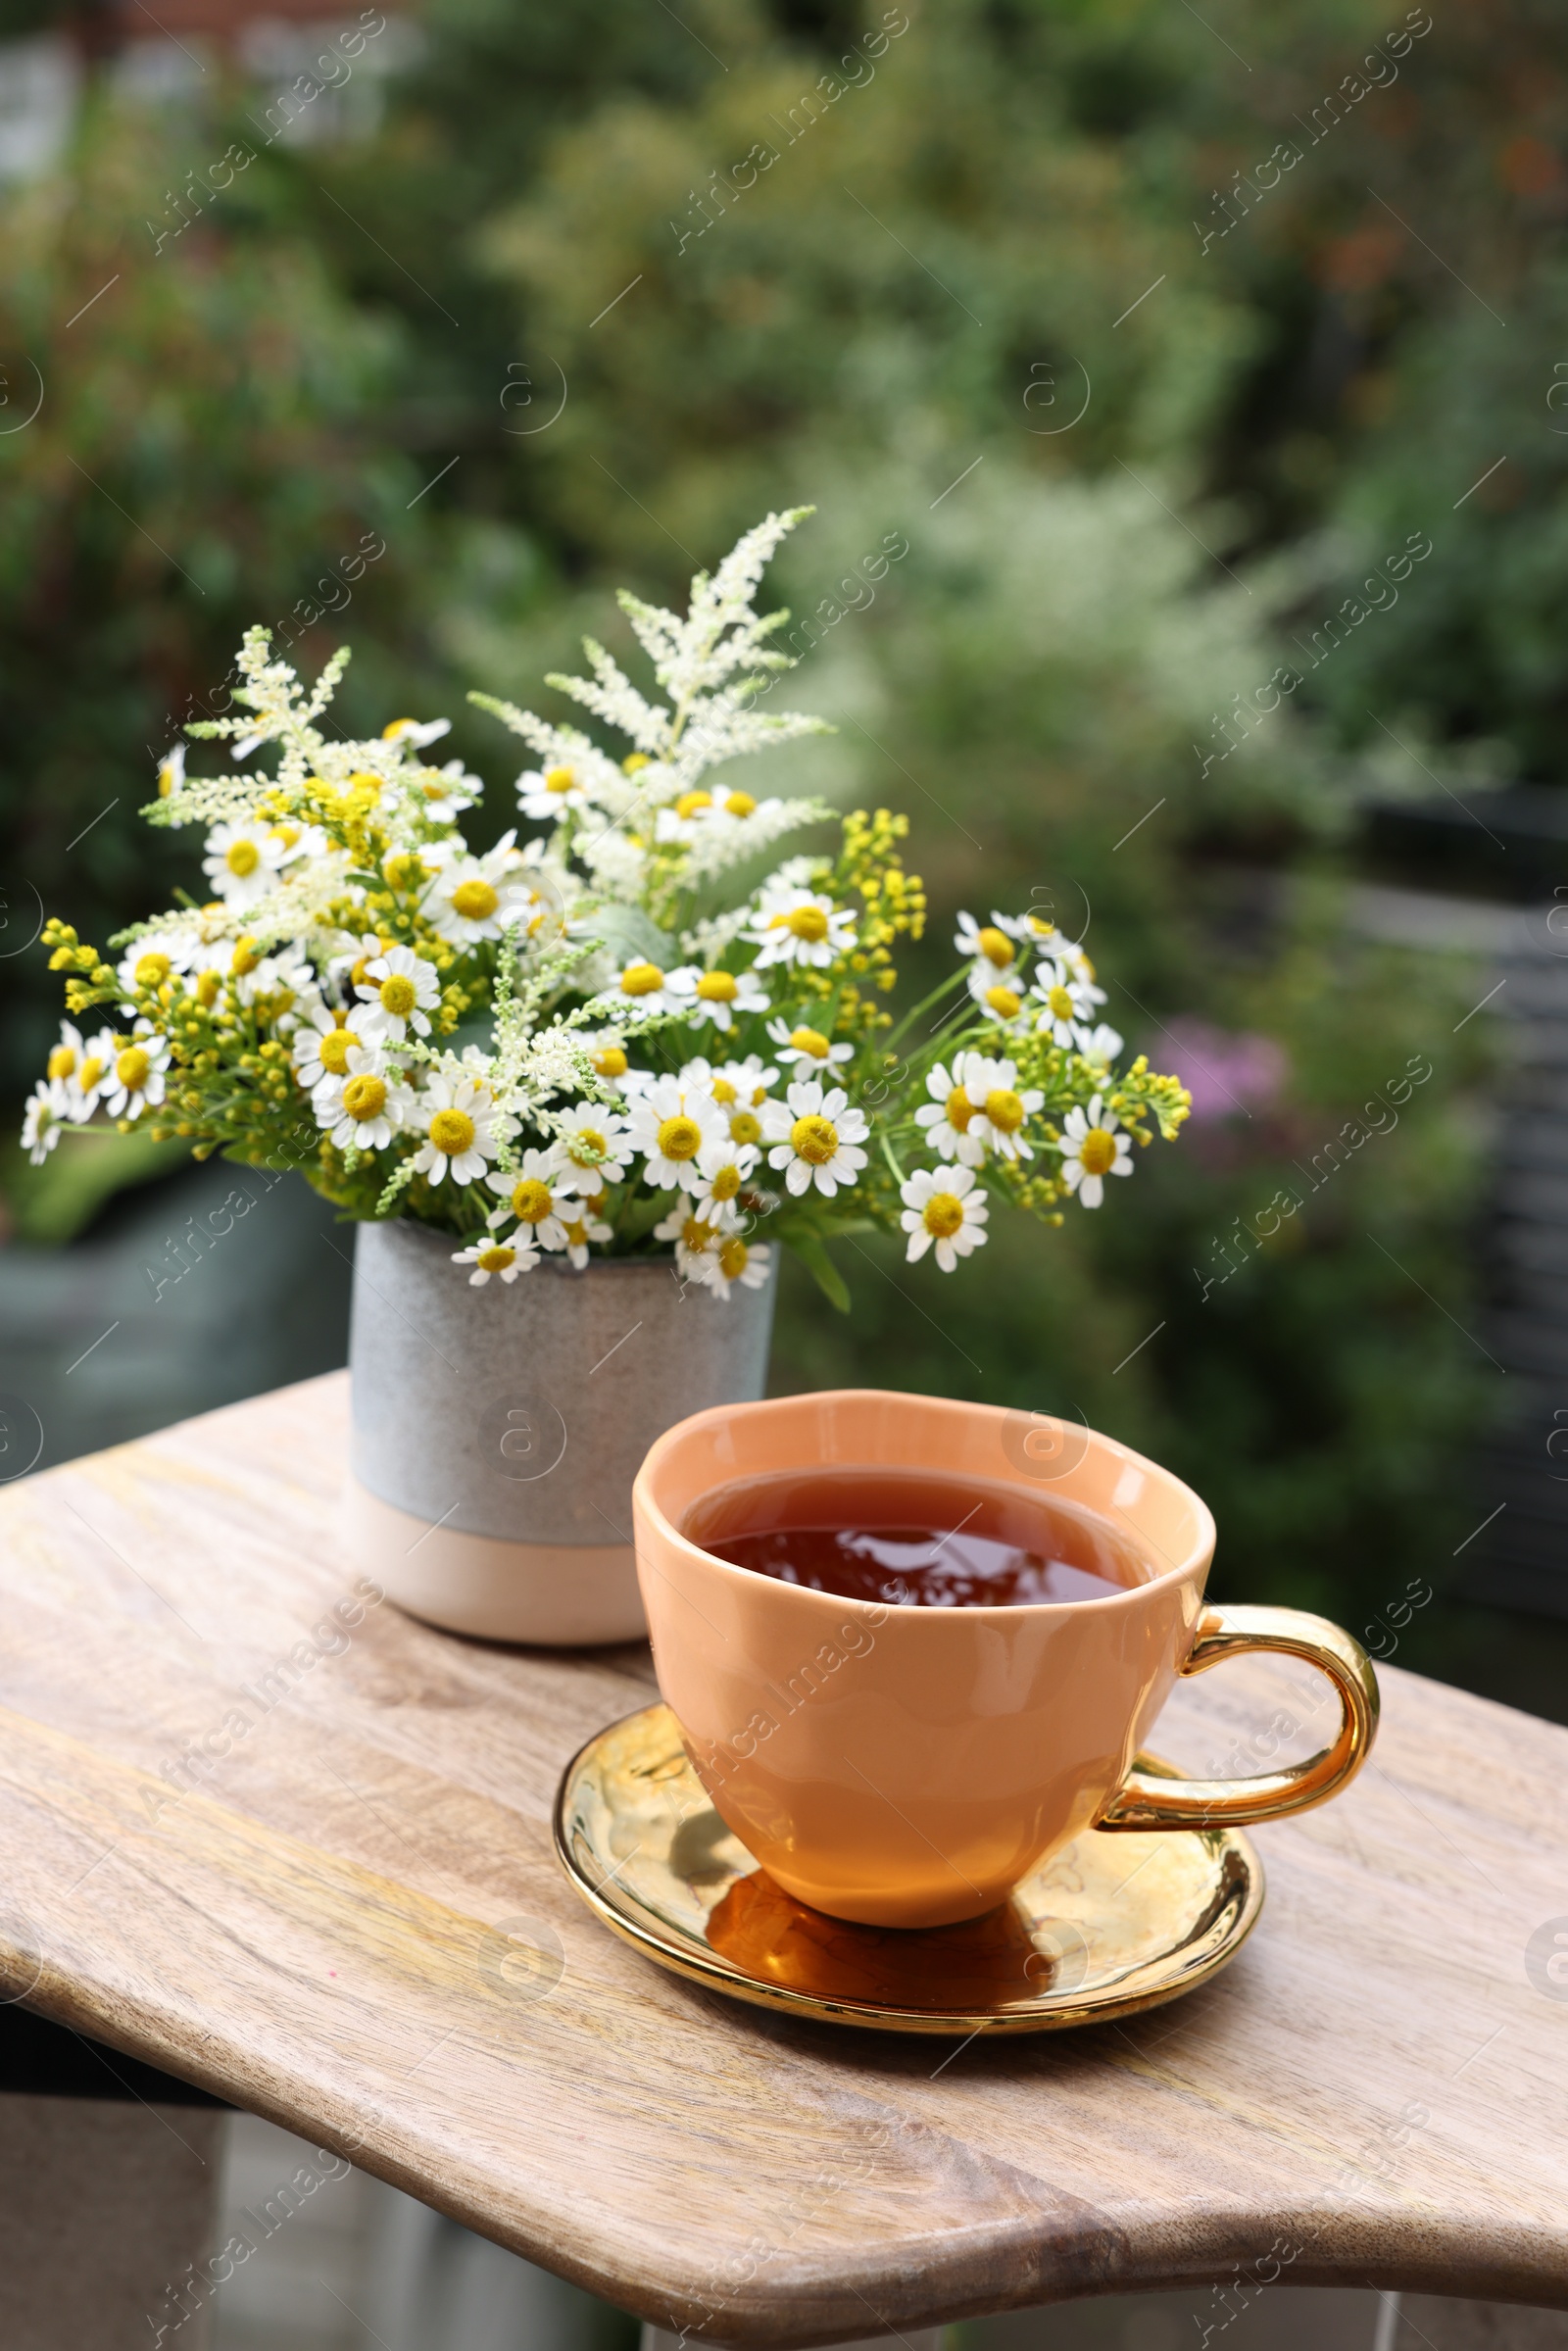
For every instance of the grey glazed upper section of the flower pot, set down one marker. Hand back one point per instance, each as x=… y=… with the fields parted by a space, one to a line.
x=525 y=1409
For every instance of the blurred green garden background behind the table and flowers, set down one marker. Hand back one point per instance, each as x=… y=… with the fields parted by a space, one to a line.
x=1212 y=370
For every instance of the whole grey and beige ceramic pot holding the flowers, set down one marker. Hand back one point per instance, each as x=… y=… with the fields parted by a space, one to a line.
x=497 y=1431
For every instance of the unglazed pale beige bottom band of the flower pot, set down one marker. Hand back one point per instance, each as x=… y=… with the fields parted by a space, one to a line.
x=561 y=1595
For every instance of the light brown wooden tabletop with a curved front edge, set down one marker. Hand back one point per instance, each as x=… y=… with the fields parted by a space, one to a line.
x=304 y=1861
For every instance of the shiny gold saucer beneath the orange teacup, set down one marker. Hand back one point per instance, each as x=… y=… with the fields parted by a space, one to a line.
x=1113 y=1924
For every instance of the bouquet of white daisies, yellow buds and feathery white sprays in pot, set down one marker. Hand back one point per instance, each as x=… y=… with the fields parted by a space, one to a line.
x=631 y=1031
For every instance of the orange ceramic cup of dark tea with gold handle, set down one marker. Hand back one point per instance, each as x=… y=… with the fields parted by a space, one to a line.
x=916 y=1647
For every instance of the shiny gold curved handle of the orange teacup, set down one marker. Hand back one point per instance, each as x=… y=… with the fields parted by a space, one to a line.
x=1151 y=1800
